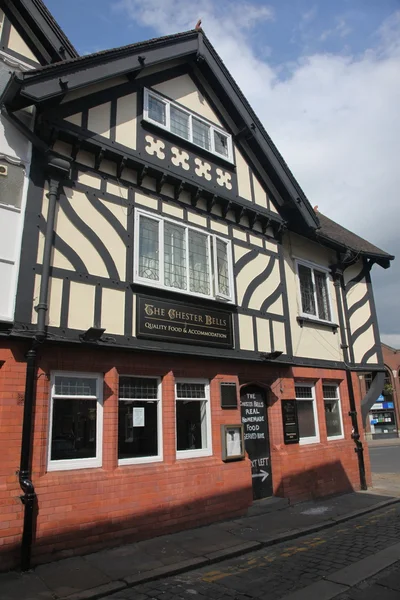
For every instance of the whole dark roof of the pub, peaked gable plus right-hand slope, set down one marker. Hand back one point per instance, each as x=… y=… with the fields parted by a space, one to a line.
x=51 y=82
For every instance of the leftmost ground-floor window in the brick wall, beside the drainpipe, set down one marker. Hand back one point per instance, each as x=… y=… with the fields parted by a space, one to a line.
x=76 y=421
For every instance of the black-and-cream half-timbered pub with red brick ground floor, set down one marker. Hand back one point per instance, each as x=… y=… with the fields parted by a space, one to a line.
x=188 y=331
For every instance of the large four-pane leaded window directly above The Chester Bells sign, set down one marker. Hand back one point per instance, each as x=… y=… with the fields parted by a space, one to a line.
x=181 y=258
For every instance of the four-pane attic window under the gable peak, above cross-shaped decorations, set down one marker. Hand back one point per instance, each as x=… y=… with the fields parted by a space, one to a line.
x=185 y=124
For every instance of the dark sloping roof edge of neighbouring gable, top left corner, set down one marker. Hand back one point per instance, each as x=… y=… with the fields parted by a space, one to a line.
x=39 y=30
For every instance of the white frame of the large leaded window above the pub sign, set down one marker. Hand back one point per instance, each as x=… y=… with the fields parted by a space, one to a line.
x=214 y=292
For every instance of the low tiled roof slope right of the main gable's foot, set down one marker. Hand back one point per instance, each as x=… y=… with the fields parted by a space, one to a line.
x=335 y=233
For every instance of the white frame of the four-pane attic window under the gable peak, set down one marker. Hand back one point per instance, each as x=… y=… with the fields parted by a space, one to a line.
x=168 y=103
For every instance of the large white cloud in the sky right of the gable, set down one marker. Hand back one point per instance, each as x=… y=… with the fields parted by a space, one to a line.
x=334 y=118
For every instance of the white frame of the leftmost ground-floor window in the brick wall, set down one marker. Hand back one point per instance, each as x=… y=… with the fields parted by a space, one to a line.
x=77 y=463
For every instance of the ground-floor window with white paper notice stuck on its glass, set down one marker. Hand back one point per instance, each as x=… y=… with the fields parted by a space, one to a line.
x=139 y=420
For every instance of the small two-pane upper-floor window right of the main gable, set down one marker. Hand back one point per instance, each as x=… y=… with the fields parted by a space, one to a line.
x=314 y=291
